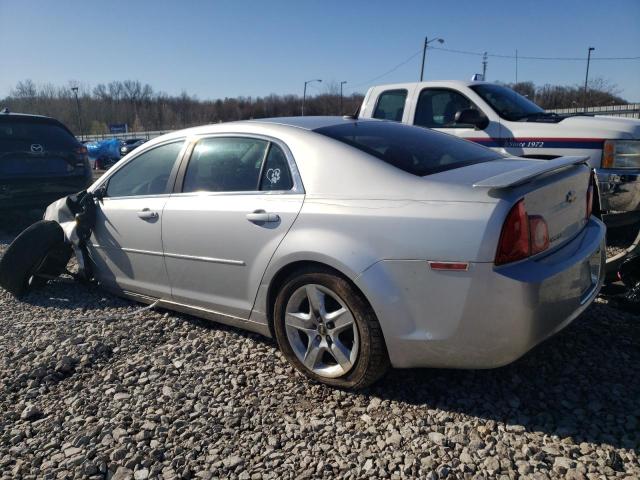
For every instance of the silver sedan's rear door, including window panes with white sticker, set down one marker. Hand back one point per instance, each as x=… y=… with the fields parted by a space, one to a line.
x=238 y=196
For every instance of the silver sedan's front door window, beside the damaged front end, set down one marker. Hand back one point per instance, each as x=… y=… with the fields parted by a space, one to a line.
x=146 y=174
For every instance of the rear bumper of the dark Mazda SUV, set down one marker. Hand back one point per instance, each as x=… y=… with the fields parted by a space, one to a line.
x=39 y=192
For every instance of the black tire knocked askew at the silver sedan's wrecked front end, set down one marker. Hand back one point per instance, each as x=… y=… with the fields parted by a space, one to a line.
x=40 y=249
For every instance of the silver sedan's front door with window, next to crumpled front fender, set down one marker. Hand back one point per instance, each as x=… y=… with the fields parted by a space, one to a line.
x=126 y=244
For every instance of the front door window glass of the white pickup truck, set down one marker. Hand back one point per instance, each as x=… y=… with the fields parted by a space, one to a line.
x=437 y=108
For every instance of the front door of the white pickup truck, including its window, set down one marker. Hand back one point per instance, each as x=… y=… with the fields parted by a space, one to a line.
x=437 y=107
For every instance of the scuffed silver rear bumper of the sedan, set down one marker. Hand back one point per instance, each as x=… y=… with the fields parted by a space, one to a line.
x=487 y=316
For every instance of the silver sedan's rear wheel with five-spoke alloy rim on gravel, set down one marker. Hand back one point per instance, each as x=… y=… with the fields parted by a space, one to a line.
x=328 y=331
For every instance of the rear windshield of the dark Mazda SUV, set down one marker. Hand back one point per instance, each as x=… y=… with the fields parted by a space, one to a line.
x=50 y=135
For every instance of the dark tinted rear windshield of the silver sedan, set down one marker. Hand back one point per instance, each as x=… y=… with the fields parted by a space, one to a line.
x=415 y=150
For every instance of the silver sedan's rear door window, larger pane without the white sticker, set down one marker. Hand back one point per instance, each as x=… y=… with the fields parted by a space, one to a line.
x=225 y=164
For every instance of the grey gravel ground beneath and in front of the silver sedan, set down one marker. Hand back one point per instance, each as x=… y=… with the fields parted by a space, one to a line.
x=163 y=395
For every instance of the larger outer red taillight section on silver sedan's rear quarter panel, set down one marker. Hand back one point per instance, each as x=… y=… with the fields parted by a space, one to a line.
x=515 y=239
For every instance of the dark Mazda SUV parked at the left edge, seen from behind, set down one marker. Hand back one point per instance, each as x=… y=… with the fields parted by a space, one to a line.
x=40 y=161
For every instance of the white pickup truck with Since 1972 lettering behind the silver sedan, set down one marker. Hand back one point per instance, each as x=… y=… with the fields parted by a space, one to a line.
x=499 y=118
